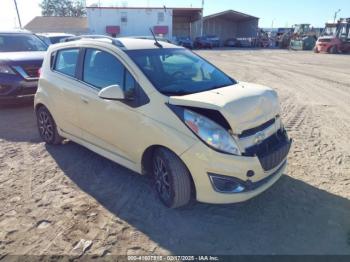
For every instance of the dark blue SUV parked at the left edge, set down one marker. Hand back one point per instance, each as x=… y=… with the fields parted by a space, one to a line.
x=21 y=56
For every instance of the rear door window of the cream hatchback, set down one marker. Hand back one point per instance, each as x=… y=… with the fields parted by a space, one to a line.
x=66 y=61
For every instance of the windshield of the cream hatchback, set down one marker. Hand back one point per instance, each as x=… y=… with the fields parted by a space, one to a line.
x=179 y=71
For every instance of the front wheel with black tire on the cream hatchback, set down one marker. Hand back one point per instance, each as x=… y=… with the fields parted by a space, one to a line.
x=171 y=178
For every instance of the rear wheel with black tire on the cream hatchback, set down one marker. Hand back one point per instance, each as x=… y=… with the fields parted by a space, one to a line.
x=47 y=127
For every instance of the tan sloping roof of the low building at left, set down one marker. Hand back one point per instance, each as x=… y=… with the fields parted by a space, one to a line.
x=65 y=24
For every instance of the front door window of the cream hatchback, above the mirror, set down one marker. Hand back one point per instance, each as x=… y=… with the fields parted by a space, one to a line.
x=102 y=69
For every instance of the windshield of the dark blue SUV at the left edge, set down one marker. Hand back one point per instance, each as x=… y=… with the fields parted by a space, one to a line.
x=21 y=43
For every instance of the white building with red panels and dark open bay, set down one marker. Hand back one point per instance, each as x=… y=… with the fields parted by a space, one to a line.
x=136 y=21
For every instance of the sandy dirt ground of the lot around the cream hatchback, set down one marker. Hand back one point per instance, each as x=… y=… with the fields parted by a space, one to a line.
x=68 y=200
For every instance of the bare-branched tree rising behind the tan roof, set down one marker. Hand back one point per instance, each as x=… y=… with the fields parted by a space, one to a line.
x=62 y=8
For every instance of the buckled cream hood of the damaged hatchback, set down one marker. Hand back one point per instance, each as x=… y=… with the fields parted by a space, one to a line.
x=244 y=105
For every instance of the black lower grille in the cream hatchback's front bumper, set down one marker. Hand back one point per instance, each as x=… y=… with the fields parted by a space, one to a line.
x=272 y=151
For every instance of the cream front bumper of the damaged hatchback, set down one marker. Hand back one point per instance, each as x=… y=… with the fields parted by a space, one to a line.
x=203 y=162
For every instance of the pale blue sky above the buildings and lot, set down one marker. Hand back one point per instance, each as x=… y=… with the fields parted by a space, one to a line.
x=280 y=13
